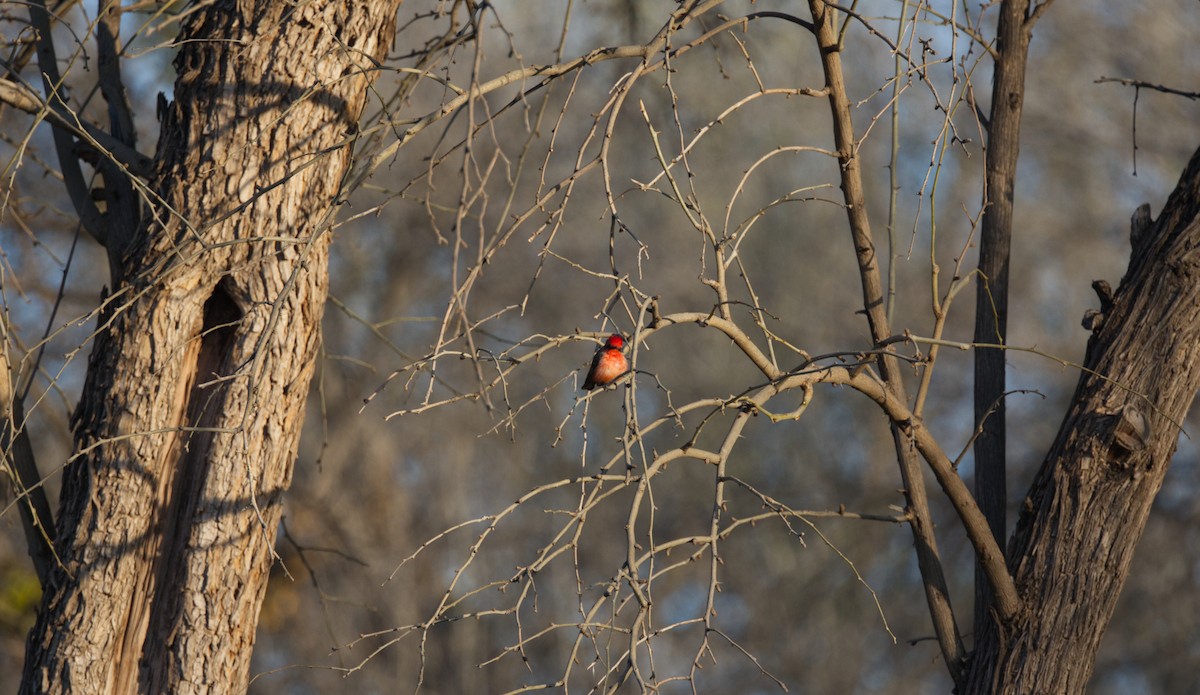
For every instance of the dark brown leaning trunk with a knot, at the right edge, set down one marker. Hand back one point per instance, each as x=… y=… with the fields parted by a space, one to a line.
x=1089 y=505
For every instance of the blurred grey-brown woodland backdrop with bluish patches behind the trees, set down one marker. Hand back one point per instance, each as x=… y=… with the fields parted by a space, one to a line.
x=502 y=217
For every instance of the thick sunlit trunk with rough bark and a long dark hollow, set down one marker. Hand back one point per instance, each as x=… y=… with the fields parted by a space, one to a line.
x=191 y=414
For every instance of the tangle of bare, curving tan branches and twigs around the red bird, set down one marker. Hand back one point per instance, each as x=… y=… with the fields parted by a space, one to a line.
x=619 y=609
